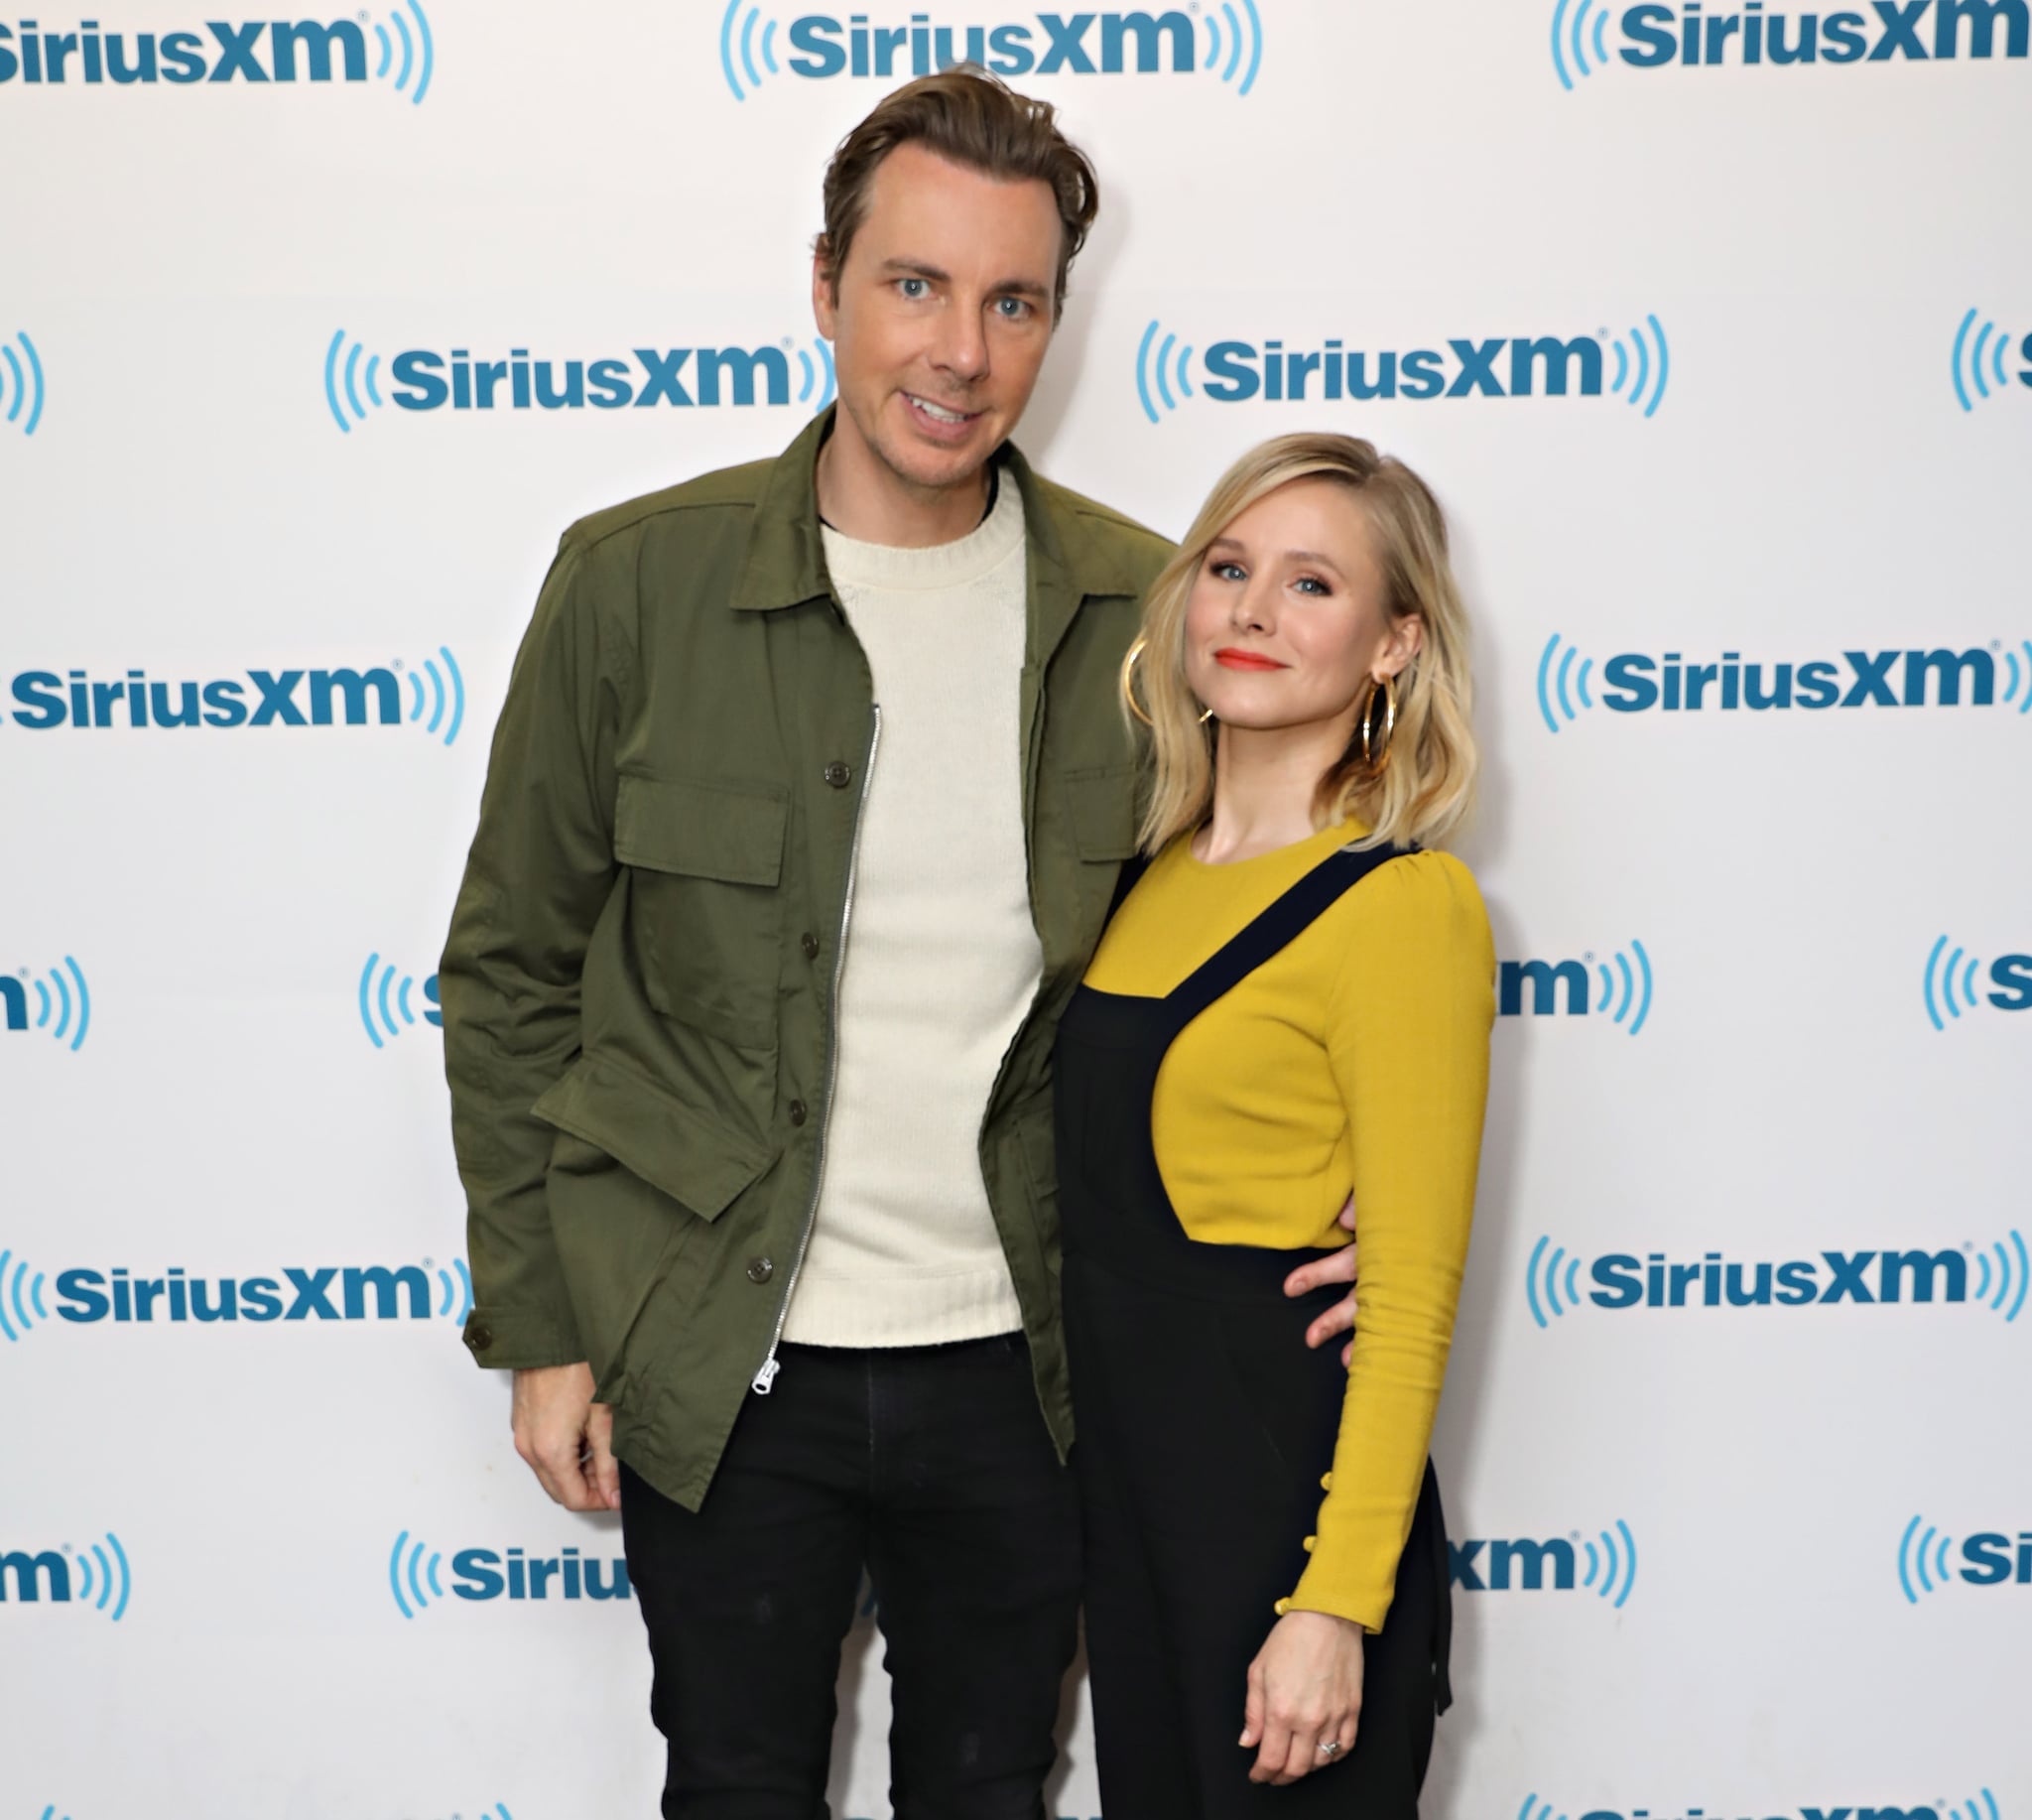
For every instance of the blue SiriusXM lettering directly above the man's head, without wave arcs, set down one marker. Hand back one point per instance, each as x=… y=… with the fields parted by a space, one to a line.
x=1050 y=44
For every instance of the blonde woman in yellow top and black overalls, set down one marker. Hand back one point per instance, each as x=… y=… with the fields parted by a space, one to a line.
x=1293 y=1004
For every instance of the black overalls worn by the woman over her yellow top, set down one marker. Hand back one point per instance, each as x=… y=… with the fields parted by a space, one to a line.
x=1204 y=1431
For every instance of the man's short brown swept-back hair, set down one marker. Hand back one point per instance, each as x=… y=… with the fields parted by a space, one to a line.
x=976 y=121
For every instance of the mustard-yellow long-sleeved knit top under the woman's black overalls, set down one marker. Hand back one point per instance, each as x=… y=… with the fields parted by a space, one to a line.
x=1356 y=1059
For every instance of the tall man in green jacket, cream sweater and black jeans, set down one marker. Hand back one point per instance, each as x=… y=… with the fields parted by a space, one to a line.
x=804 y=820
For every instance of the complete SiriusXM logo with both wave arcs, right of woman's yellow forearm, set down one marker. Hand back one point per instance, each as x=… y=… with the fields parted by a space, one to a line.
x=1623 y=1281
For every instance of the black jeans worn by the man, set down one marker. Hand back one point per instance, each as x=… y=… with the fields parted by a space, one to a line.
x=934 y=1470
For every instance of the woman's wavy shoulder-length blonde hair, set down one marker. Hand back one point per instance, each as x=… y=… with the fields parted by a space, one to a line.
x=1427 y=783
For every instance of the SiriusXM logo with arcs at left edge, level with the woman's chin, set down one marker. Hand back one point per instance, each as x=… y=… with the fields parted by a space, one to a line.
x=369 y=698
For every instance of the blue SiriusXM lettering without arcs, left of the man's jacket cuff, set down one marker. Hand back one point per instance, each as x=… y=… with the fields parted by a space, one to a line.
x=322 y=1293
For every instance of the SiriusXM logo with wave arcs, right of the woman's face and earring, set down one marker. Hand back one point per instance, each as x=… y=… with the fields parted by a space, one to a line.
x=1633 y=681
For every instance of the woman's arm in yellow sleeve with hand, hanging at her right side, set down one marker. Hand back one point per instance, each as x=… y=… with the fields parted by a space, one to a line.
x=1409 y=1041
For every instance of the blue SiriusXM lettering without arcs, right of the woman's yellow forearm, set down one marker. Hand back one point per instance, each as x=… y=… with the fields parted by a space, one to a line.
x=1625 y=1281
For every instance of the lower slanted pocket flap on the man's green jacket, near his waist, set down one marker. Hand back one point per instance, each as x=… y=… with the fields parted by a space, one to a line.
x=688 y=1155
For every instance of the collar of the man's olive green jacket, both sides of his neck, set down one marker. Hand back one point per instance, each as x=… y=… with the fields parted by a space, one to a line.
x=785 y=560
